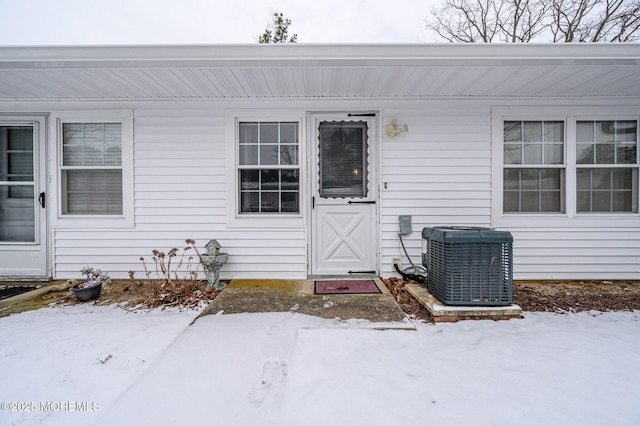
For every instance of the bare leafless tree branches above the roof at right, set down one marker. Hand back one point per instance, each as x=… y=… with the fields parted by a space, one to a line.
x=522 y=21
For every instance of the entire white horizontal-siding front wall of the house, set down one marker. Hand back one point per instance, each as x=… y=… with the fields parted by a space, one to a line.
x=439 y=172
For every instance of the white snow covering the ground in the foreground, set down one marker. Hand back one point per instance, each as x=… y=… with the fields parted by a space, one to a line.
x=82 y=365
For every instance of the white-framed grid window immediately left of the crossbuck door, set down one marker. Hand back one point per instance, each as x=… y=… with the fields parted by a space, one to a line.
x=268 y=167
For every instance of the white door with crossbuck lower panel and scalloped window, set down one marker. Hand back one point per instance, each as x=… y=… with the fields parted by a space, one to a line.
x=344 y=204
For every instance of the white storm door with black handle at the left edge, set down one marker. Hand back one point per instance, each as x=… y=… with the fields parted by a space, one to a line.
x=22 y=200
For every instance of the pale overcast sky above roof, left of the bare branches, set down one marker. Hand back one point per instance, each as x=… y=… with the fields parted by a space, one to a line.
x=73 y=22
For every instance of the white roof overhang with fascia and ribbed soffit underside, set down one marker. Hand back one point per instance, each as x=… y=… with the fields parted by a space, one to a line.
x=311 y=71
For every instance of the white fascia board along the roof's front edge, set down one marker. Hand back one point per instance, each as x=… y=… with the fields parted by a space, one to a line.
x=317 y=55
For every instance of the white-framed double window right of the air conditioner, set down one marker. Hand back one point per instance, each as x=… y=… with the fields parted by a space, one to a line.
x=567 y=164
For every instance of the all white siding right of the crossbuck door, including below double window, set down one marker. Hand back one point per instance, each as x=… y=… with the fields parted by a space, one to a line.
x=440 y=173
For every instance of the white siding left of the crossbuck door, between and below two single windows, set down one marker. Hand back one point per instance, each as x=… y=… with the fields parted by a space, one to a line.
x=180 y=190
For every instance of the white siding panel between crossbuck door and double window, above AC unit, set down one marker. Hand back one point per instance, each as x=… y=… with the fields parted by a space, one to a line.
x=439 y=172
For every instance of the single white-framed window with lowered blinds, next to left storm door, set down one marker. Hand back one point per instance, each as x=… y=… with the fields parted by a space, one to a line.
x=95 y=168
